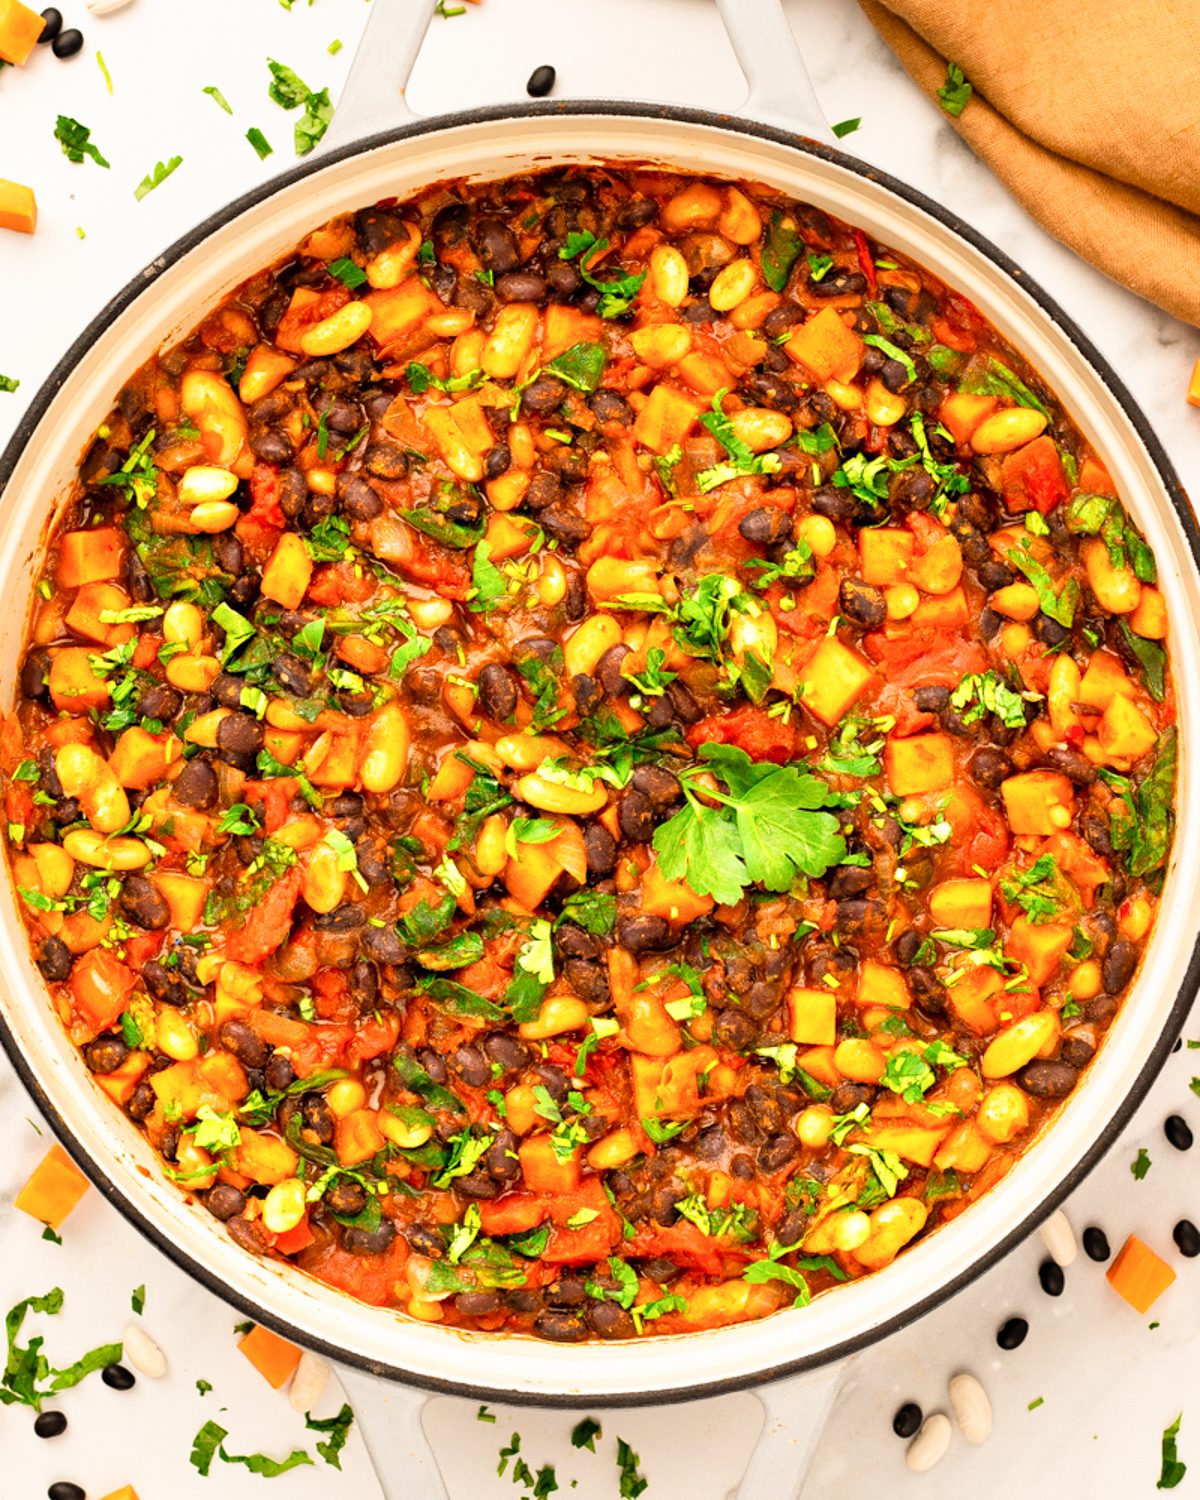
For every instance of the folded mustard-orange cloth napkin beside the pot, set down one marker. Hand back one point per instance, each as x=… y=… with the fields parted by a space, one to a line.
x=1088 y=113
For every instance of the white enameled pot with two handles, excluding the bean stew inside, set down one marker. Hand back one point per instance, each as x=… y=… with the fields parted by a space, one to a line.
x=377 y=151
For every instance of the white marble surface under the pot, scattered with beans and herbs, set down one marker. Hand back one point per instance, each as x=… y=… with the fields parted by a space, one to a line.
x=1109 y=1384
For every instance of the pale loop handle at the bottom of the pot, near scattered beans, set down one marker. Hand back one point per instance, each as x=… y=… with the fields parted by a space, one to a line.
x=796 y=1415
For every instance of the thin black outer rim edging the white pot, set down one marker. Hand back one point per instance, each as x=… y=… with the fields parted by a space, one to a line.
x=1160 y=461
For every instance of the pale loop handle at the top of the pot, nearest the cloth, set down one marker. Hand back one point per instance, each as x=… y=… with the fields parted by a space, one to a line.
x=373 y=101
